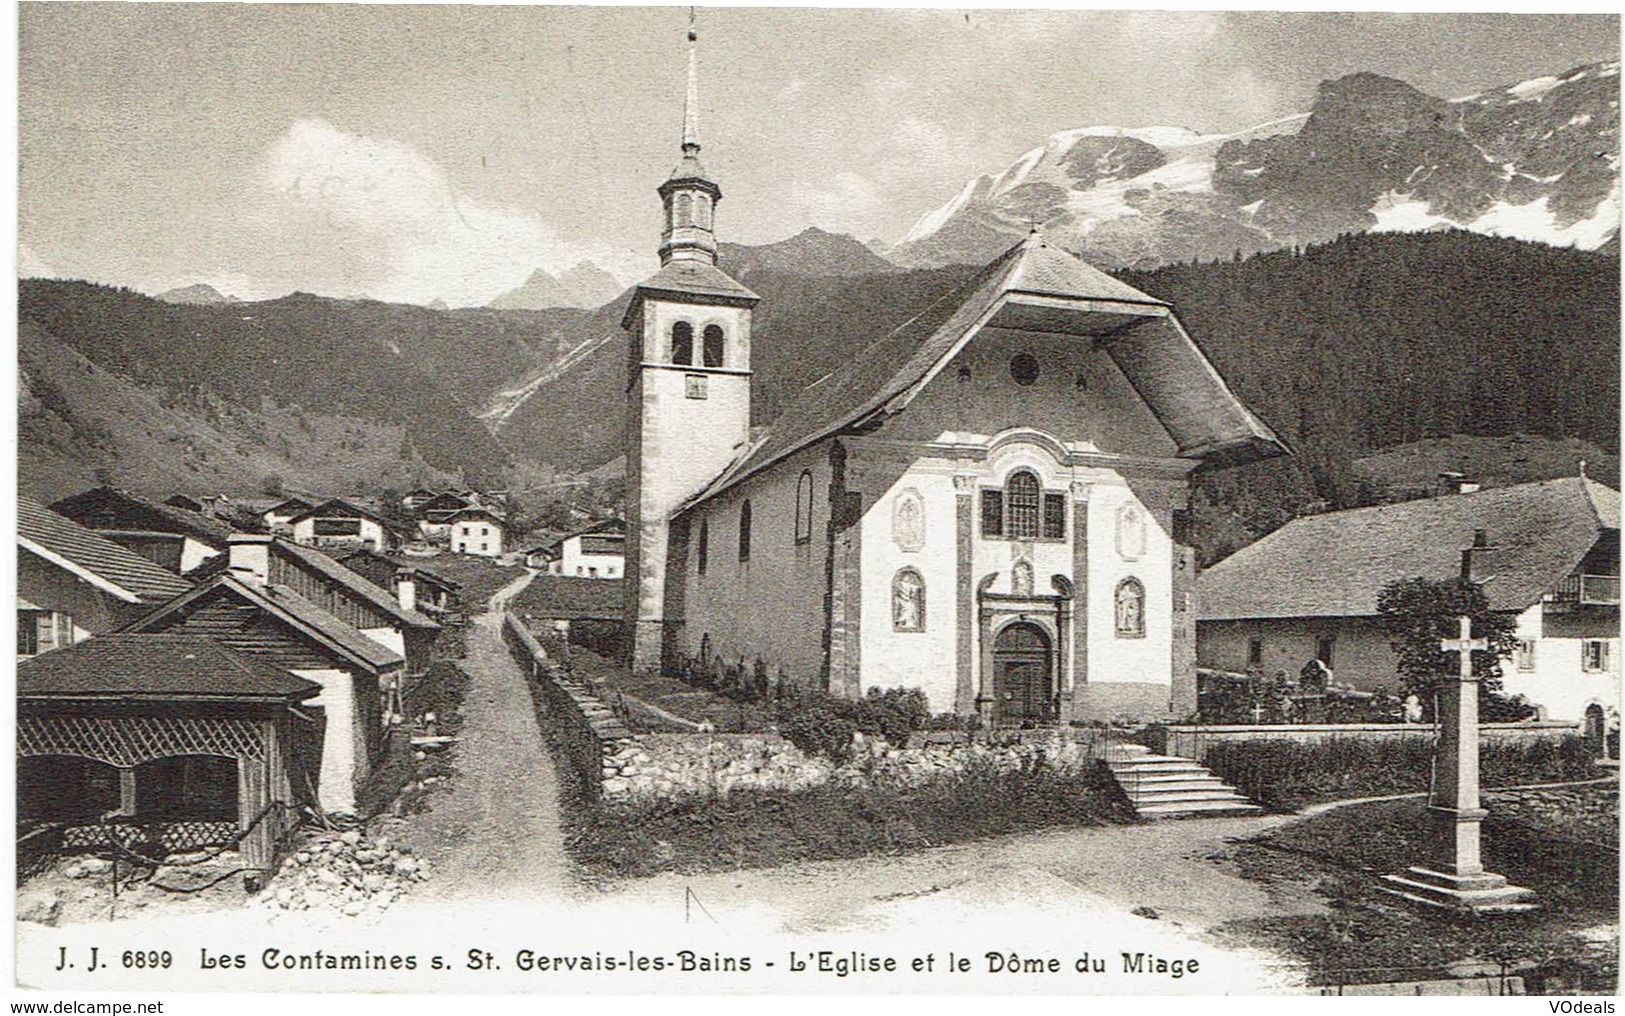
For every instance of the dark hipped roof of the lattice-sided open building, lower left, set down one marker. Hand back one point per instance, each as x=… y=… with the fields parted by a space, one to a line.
x=157 y=667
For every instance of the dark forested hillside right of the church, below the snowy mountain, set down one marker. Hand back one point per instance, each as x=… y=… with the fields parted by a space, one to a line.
x=1389 y=339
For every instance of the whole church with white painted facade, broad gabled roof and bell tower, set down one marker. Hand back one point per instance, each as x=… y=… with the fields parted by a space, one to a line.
x=986 y=505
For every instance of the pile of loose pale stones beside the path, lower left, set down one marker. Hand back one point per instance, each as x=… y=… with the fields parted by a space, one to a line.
x=345 y=874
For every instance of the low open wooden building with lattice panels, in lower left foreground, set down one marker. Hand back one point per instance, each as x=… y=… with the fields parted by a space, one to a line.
x=160 y=744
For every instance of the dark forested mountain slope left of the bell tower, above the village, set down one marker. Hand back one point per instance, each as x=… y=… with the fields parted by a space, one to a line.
x=388 y=365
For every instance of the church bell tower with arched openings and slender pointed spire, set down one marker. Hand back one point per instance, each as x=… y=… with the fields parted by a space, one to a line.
x=688 y=384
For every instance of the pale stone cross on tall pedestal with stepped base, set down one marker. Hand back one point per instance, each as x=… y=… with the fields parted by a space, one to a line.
x=1455 y=877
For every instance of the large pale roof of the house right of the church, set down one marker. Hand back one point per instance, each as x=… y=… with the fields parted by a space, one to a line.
x=1335 y=565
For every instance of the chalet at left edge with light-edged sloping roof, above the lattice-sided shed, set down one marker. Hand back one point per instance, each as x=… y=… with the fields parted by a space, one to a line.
x=74 y=583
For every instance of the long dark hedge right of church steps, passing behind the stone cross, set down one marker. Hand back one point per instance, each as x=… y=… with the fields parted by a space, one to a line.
x=1286 y=775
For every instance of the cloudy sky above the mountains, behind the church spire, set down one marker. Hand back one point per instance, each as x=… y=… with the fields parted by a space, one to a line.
x=418 y=154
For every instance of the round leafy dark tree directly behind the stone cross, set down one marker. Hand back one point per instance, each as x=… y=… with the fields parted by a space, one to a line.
x=1419 y=614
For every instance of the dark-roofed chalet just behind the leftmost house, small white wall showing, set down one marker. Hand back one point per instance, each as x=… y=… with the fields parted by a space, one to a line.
x=175 y=539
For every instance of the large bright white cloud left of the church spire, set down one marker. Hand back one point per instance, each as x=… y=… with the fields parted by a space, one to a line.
x=355 y=215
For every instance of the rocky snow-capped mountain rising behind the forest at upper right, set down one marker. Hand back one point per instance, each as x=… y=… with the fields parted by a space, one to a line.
x=1536 y=160
